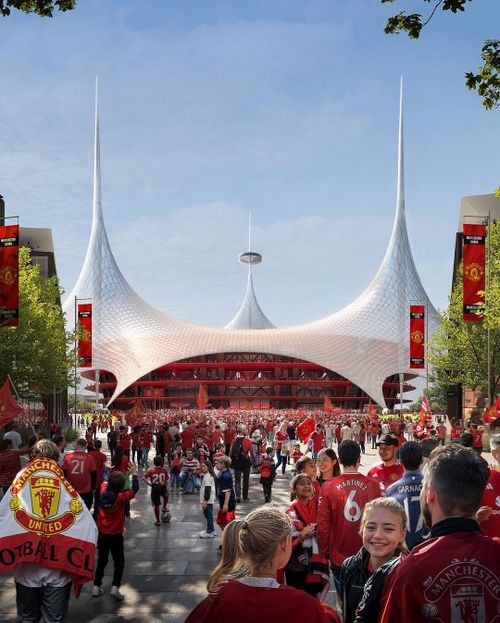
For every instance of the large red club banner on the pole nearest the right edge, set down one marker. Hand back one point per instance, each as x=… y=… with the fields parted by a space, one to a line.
x=474 y=270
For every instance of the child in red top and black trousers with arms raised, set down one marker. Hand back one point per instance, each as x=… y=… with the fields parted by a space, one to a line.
x=110 y=523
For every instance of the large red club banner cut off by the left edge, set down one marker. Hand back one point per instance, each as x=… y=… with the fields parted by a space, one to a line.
x=9 y=275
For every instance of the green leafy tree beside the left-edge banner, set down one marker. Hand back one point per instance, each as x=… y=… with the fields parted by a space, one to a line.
x=38 y=354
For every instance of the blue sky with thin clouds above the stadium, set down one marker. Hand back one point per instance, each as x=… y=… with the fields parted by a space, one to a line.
x=211 y=109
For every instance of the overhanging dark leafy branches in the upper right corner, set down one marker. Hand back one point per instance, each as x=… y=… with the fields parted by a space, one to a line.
x=487 y=80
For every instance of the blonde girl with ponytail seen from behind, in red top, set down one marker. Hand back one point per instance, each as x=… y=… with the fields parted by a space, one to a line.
x=244 y=584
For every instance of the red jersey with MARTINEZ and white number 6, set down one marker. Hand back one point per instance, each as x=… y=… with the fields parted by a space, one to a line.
x=339 y=514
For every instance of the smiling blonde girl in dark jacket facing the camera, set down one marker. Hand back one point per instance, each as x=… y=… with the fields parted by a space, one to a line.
x=383 y=530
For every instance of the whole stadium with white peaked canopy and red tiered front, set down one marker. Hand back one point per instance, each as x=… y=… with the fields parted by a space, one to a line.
x=357 y=354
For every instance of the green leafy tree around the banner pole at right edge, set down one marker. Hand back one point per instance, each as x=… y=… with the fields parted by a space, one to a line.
x=458 y=350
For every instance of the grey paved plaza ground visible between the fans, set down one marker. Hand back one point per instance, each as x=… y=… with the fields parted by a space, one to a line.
x=166 y=568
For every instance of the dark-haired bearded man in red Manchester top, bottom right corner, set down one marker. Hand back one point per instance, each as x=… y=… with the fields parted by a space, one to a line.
x=453 y=576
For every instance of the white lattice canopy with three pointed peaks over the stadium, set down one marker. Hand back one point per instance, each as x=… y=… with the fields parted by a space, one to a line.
x=366 y=342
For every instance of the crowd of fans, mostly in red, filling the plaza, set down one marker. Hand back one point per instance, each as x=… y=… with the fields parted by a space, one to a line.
x=415 y=539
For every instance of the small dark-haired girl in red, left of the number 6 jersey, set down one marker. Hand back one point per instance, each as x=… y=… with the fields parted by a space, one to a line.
x=306 y=570
